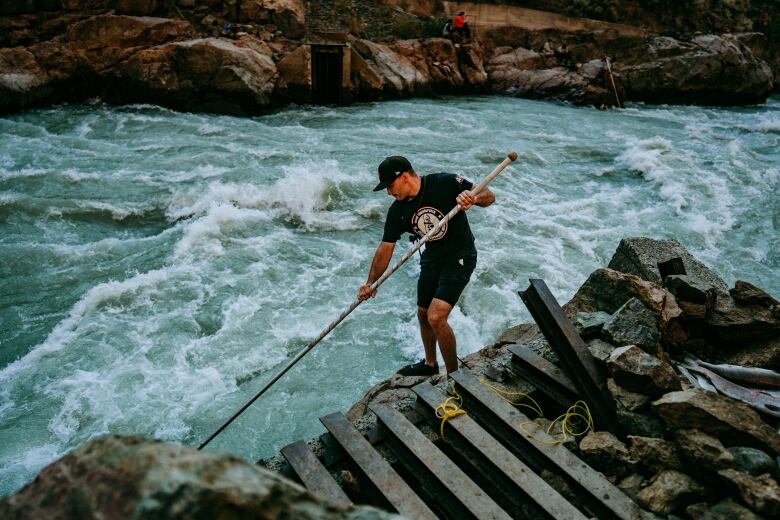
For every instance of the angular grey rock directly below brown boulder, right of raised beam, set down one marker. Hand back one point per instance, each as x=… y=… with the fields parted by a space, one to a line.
x=633 y=324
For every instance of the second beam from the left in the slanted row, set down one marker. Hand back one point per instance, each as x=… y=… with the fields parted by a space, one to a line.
x=393 y=492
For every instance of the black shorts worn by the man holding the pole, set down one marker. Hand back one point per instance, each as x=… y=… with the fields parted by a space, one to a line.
x=444 y=280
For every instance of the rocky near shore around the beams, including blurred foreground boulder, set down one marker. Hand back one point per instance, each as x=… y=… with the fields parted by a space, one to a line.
x=696 y=447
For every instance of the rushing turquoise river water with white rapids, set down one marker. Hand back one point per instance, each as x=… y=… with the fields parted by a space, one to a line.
x=156 y=268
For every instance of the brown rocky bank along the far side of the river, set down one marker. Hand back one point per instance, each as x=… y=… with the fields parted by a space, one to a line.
x=182 y=55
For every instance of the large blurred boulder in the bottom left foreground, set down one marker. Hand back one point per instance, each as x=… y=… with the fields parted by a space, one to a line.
x=130 y=477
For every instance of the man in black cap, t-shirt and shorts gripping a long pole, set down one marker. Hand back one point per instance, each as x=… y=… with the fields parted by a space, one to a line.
x=449 y=258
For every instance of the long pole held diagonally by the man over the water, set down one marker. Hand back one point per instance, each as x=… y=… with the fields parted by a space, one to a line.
x=454 y=211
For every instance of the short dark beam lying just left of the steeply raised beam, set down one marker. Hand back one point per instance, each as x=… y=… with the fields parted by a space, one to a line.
x=546 y=377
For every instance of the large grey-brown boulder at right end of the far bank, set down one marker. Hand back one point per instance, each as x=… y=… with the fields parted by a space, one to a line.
x=708 y=69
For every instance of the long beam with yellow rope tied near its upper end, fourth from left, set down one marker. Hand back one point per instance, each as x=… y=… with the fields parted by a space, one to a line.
x=516 y=483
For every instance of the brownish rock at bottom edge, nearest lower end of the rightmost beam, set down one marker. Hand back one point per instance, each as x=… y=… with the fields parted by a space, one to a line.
x=670 y=490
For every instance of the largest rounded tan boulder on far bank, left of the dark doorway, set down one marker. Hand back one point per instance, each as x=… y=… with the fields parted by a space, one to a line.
x=210 y=74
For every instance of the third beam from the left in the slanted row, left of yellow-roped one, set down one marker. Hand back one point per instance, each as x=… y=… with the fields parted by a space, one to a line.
x=454 y=492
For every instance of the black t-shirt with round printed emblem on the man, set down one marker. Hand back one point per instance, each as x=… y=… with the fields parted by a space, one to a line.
x=435 y=199
